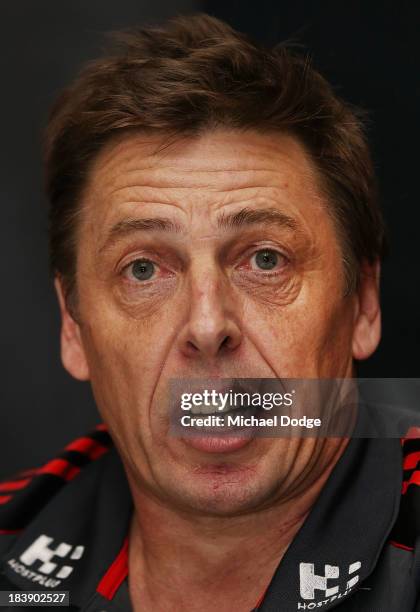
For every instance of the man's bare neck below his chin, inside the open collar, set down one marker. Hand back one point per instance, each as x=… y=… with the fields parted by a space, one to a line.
x=180 y=560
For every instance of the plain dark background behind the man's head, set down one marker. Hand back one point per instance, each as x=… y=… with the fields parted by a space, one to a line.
x=370 y=51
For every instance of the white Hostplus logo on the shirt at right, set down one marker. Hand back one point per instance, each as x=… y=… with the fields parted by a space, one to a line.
x=318 y=590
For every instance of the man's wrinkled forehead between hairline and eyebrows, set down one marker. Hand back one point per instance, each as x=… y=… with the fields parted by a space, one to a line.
x=198 y=177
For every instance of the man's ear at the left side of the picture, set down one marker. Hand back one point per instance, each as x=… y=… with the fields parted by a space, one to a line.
x=72 y=352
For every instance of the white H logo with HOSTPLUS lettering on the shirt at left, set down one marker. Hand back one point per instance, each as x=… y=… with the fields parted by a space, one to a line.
x=43 y=564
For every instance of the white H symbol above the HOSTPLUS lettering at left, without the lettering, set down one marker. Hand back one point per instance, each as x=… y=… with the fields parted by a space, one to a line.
x=40 y=551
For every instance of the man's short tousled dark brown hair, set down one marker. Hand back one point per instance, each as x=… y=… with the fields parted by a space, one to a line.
x=192 y=75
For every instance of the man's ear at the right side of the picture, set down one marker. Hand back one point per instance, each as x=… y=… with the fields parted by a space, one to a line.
x=367 y=325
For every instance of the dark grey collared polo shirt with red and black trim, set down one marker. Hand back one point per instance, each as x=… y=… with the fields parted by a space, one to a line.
x=64 y=527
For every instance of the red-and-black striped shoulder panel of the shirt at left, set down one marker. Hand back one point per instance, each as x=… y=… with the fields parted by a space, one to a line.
x=23 y=495
